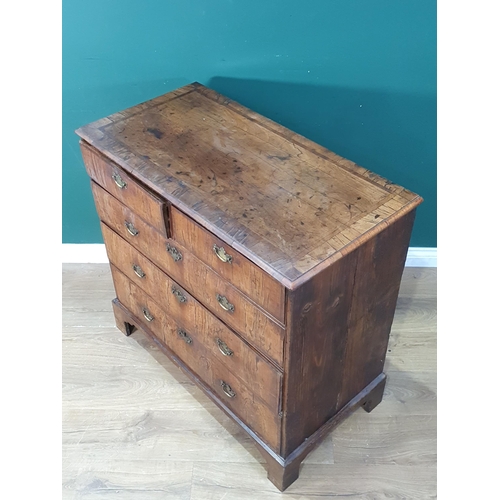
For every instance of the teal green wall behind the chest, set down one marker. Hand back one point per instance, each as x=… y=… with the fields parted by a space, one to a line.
x=356 y=76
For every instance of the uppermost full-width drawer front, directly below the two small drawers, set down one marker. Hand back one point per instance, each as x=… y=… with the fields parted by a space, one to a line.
x=209 y=288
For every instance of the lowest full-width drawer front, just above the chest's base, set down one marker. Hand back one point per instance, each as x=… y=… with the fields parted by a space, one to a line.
x=187 y=345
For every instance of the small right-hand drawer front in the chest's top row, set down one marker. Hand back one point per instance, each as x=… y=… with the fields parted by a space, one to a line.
x=238 y=270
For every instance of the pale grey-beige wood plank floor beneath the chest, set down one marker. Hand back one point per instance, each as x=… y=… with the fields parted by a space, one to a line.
x=135 y=427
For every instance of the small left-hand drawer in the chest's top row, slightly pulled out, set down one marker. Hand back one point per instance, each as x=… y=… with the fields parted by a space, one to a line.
x=123 y=187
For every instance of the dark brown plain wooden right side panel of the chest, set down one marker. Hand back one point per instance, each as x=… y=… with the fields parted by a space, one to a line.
x=340 y=323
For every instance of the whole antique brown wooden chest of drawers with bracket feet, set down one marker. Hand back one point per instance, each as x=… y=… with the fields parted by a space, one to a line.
x=264 y=265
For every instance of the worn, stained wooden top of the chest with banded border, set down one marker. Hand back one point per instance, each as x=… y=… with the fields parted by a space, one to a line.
x=287 y=204
